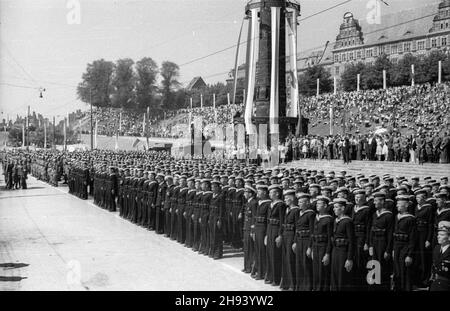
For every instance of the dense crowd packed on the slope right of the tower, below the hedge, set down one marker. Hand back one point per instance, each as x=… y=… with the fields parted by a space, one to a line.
x=418 y=108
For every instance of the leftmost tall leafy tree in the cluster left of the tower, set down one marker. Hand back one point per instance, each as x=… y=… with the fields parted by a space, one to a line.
x=96 y=83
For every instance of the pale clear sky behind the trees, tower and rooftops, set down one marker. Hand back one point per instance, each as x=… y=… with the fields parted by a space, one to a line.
x=45 y=44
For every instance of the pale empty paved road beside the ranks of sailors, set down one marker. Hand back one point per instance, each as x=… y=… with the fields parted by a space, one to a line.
x=50 y=240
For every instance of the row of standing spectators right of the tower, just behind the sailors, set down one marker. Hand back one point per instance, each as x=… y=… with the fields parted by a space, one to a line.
x=432 y=147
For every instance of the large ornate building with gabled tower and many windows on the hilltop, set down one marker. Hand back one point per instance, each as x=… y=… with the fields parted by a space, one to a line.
x=417 y=31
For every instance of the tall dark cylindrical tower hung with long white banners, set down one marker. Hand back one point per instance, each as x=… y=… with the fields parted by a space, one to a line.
x=271 y=73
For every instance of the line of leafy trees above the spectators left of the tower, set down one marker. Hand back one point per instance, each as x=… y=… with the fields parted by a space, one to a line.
x=140 y=85
